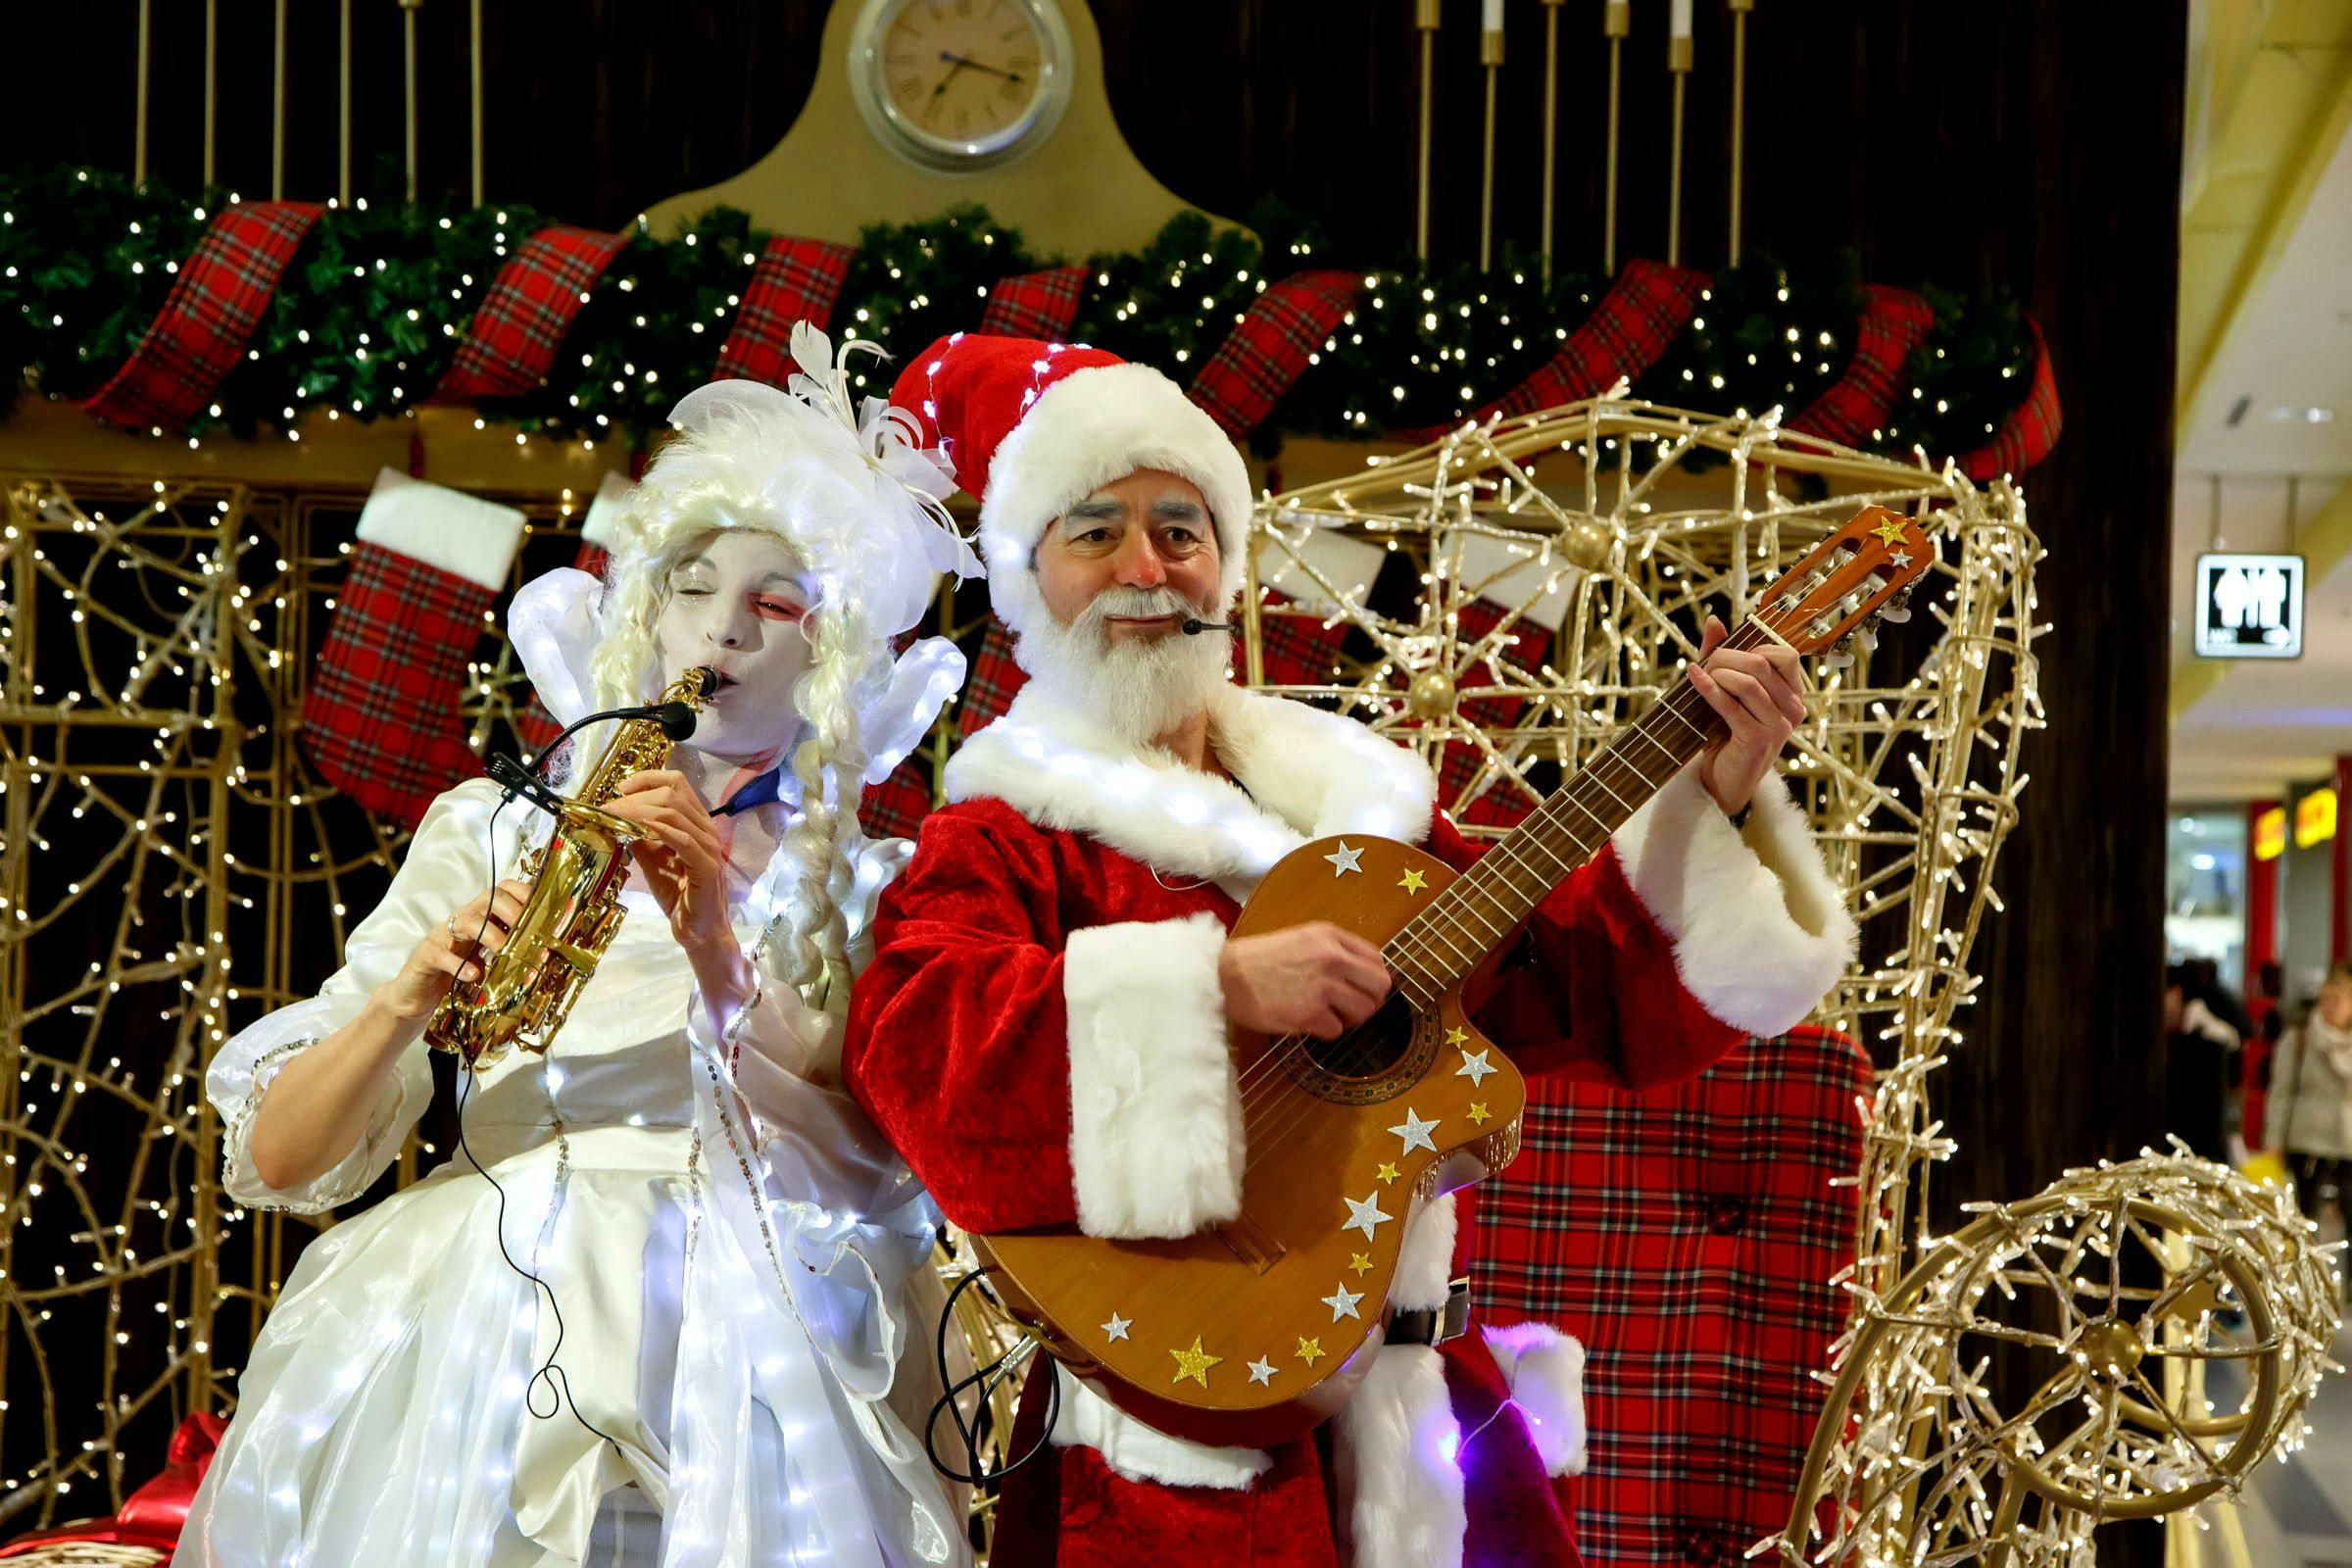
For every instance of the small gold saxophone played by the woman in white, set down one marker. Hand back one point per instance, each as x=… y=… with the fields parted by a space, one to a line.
x=573 y=911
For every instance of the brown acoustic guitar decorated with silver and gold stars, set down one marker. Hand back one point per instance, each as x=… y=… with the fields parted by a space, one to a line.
x=1257 y=1329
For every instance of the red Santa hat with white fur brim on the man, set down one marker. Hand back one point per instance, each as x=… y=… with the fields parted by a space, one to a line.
x=1034 y=429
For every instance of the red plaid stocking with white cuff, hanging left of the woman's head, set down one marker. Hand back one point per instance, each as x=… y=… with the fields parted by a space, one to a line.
x=382 y=716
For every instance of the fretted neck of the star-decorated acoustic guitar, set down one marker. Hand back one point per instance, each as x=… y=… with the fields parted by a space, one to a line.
x=1481 y=909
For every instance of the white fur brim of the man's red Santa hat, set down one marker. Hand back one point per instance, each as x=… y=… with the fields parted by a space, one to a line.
x=1088 y=431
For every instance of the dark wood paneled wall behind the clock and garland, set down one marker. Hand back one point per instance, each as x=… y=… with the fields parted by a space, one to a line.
x=2003 y=145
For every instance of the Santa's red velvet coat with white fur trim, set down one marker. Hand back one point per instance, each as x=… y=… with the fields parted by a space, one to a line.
x=1043 y=1038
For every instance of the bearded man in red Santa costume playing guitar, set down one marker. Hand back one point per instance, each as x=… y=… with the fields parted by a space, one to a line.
x=1043 y=1026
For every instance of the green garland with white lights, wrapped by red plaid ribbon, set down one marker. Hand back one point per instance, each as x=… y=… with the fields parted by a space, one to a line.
x=380 y=295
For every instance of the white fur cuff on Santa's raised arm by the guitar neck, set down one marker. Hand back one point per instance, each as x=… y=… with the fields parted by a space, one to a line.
x=1760 y=932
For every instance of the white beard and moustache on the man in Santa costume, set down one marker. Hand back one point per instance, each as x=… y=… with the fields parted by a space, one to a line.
x=1137 y=690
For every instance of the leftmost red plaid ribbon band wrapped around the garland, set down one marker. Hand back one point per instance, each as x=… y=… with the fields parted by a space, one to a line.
x=208 y=316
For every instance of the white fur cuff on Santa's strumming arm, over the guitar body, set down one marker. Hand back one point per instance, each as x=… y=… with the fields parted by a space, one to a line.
x=1156 y=1123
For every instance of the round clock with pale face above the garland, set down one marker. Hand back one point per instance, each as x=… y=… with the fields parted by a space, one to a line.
x=961 y=83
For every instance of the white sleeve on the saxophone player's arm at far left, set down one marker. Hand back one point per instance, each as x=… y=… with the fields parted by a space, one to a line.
x=446 y=866
